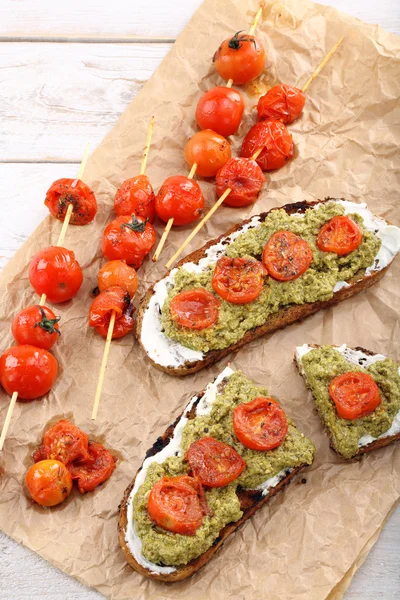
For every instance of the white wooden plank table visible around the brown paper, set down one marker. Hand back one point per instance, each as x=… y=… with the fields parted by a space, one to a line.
x=68 y=70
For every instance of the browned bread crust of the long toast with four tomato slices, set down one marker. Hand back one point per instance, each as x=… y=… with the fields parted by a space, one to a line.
x=281 y=319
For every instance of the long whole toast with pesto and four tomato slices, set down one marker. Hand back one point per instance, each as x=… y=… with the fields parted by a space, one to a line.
x=269 y=271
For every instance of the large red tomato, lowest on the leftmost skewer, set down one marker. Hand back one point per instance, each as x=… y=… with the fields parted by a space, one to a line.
x=28 y=370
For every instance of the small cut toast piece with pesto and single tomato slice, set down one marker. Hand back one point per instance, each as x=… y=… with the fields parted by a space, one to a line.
x=357 y=394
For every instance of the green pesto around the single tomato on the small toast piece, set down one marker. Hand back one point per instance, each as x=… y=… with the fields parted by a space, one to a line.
x=320 y=366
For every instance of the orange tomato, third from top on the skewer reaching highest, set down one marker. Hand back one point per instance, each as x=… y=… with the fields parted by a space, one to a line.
x=209 y=150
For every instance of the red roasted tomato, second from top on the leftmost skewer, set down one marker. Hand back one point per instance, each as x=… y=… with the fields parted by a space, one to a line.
x=55 y=272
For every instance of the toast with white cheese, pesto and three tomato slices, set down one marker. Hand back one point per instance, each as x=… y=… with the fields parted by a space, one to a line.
x=223 y=458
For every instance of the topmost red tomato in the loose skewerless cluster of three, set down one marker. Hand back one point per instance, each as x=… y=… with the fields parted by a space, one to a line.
x=65 y=442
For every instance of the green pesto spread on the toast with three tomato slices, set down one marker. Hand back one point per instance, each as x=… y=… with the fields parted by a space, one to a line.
x=160 y=546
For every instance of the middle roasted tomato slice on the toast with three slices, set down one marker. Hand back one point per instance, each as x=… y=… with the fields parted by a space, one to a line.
x=214 y=463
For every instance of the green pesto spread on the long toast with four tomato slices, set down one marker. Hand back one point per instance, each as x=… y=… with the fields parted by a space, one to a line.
x=316 y=284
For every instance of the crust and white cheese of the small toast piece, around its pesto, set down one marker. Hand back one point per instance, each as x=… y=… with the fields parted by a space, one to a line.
x=361 y=358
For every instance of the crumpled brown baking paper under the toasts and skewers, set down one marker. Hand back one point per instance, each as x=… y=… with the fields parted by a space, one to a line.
x=307 y=543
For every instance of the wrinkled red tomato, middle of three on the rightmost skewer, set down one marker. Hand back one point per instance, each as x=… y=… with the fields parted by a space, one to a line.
x=276 y=141
